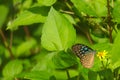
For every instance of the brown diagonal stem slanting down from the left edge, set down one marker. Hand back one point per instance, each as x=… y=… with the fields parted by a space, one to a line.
x=6 y=44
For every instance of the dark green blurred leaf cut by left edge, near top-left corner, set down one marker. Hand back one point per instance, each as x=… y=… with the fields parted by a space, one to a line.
x=3 y=14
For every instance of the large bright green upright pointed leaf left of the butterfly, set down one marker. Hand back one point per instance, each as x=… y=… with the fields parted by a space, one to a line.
x=58 y=33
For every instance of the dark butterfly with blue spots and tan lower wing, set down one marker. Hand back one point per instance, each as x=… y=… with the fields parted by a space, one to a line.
x=85 y=53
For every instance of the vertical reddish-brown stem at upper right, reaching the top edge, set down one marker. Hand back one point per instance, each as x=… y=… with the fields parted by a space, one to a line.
x=109 y=21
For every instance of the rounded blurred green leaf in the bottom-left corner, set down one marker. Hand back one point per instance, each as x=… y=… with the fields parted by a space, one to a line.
x=12 y=68
